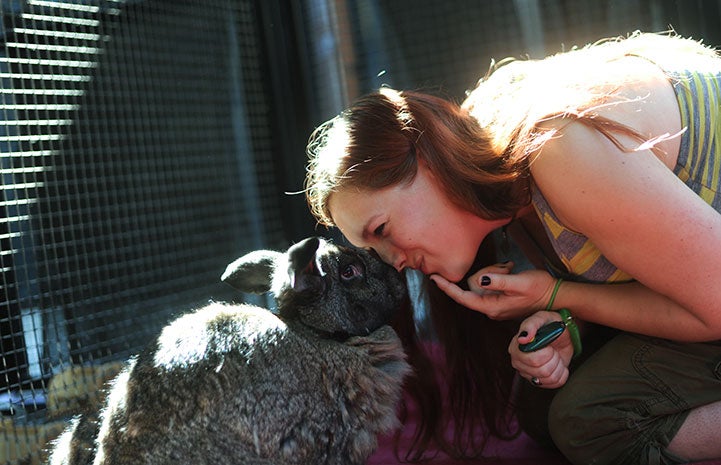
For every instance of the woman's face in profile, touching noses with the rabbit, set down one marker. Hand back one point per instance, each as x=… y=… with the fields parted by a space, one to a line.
x=413 y=226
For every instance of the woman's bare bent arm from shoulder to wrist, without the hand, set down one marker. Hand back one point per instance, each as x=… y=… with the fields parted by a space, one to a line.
x=646 y=222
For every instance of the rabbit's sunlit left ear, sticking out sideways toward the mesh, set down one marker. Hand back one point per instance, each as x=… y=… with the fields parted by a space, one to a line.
x=252 y=272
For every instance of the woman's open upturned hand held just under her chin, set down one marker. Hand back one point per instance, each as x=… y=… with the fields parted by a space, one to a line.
x=501 y=295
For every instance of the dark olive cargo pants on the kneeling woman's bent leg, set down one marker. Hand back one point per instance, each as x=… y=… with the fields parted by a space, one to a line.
x=626 y=402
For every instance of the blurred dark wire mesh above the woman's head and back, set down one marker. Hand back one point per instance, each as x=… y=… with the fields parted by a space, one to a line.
x=445 y=47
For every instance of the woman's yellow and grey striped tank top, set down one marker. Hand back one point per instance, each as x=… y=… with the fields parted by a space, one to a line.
x=699 y=166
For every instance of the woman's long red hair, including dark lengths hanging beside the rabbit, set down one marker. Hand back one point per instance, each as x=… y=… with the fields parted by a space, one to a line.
x=378 y=142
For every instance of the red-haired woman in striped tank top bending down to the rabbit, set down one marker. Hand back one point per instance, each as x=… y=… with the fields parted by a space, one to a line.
x=603 y=165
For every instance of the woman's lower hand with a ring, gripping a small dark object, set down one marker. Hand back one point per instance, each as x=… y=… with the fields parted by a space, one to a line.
x=546 y=367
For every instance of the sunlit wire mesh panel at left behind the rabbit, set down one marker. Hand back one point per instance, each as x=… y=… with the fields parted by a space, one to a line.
x=135 y=165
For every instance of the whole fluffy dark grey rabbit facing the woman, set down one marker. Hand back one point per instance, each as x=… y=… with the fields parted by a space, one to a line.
x=313 y=383
